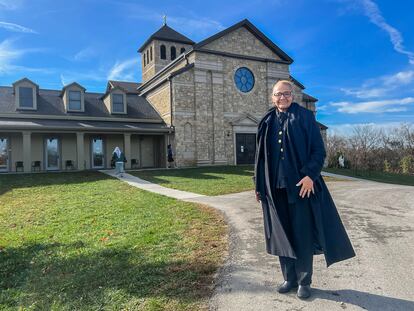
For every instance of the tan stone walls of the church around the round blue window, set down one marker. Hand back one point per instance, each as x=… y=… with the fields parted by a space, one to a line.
x=203 y=103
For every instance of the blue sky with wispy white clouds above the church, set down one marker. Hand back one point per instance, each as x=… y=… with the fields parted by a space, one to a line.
x=355 y=56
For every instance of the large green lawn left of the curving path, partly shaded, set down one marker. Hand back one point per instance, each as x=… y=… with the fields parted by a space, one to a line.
x=85 y=241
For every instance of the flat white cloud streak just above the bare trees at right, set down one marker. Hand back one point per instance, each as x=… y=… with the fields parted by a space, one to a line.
x=379 y=106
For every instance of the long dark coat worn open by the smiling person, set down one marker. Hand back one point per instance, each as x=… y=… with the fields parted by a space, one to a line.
x=305 y=154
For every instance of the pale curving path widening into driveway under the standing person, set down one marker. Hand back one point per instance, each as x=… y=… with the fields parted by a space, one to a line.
x=380 y=222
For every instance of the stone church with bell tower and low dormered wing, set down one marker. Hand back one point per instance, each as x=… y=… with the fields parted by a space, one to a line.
x=205 y=99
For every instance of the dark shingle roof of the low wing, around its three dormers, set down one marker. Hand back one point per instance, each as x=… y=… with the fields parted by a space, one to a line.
x=50 y=103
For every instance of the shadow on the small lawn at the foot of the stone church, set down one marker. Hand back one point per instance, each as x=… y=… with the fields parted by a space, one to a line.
x=202 y=173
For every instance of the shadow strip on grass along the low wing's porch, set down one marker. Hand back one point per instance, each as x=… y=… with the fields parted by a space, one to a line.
x=14 y=181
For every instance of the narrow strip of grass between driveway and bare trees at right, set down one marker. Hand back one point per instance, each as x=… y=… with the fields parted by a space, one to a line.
x=391 y=178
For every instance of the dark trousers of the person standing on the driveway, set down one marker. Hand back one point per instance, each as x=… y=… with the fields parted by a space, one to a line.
x=297 y=221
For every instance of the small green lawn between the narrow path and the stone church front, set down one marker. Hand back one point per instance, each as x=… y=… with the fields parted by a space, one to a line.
x=212 y=180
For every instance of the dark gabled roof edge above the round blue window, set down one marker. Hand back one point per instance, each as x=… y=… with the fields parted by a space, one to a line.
x=256 y=32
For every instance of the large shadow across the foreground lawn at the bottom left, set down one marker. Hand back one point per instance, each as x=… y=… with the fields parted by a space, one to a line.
x=80 y=279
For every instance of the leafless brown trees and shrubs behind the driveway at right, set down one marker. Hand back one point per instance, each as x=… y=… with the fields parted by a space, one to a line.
x=374 y=149
